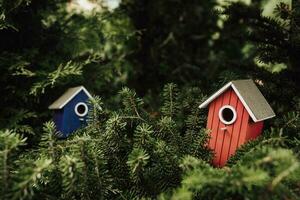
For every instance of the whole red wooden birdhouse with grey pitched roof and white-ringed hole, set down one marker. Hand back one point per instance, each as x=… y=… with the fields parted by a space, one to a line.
x=236 y=115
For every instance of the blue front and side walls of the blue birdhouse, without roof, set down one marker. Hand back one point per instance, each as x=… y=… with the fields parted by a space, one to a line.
x=66 y=119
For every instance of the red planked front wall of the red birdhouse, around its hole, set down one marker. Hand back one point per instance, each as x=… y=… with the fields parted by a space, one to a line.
x=225 y=139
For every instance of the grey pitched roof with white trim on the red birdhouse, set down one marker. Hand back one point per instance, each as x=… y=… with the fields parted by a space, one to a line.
x=250 y=96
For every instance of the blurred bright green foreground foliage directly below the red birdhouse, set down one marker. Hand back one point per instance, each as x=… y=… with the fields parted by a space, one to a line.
x=264 y=178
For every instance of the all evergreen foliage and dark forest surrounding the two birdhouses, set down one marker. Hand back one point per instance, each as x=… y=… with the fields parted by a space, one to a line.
x=152 y=63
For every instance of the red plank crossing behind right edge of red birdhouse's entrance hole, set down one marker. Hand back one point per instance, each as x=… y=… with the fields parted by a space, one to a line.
x=229 y=131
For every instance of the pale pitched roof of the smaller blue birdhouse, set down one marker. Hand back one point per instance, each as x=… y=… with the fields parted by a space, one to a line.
x=67 y=97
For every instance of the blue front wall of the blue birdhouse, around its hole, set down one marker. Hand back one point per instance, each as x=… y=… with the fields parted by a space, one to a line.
x=71 y=121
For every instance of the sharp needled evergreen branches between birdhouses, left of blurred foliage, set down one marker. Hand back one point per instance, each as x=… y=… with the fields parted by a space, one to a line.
x=124 y=153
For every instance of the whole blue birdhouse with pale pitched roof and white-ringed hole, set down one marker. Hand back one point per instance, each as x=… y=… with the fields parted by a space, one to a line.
x=70 y=110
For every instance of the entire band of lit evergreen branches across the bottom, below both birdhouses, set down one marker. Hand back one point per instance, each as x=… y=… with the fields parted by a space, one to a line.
x=130 y=157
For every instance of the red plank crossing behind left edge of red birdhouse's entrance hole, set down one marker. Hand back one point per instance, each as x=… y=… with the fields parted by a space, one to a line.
x=221 y=133
